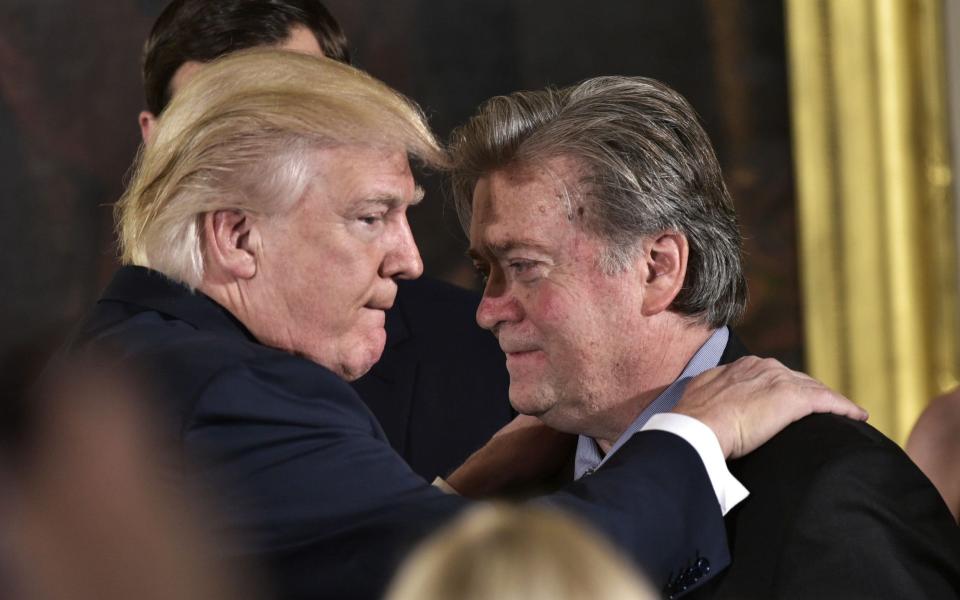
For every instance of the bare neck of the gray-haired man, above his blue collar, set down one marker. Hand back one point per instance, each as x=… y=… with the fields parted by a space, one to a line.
x=664 y=355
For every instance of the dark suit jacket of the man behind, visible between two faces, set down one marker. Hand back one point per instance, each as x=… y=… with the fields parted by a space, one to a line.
x=440 y=388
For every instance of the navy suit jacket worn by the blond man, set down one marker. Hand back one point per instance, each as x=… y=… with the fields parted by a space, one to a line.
x=303 y=470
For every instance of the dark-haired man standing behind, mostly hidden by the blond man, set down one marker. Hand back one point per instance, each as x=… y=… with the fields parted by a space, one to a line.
x=440 y=388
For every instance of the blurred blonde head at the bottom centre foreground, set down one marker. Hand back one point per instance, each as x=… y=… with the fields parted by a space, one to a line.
x=508 y=553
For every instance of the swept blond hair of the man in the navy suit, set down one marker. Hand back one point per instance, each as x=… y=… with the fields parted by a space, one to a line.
x=240 y=136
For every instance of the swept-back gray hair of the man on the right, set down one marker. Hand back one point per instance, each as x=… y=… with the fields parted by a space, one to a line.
x=648 y=167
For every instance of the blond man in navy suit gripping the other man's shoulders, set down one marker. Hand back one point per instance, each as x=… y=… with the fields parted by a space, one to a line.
x=262 y=234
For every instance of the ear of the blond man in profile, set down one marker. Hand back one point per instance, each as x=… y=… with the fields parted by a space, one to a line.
x=230 y=246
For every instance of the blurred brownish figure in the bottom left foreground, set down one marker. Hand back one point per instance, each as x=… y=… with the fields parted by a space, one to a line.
x=89 y=513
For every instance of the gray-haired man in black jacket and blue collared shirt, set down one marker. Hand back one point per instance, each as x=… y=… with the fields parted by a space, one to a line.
x=599 y=217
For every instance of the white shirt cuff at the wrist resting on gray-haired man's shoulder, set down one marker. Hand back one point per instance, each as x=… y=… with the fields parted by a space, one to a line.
x=729 y=491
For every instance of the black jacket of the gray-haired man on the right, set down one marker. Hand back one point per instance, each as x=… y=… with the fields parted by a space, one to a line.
x=836 y=510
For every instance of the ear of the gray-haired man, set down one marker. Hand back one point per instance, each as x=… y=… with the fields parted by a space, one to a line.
x=665 y=259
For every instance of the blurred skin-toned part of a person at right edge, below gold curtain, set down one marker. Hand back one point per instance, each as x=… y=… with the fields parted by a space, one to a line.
x=934 y=444
